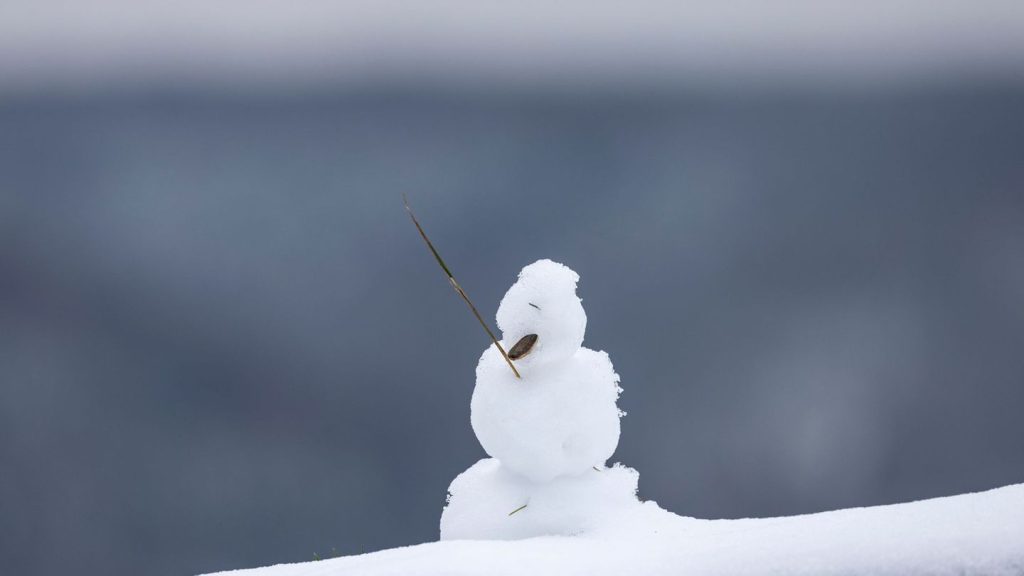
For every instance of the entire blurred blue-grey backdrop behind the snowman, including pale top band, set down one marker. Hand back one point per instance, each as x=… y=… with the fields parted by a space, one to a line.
x=223 y=345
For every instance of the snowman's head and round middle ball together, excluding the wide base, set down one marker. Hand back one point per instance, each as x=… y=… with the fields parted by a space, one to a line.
x=560 y=419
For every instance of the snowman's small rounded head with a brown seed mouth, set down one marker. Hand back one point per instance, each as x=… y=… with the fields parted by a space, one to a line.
x=541 y=318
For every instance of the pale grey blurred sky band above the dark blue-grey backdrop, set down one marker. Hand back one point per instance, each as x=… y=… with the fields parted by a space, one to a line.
x=65 y=44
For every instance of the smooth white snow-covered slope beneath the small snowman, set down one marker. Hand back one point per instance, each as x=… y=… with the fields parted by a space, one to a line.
x=980 y=534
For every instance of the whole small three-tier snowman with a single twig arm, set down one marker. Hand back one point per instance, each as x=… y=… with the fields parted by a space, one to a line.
x=549 y=431
